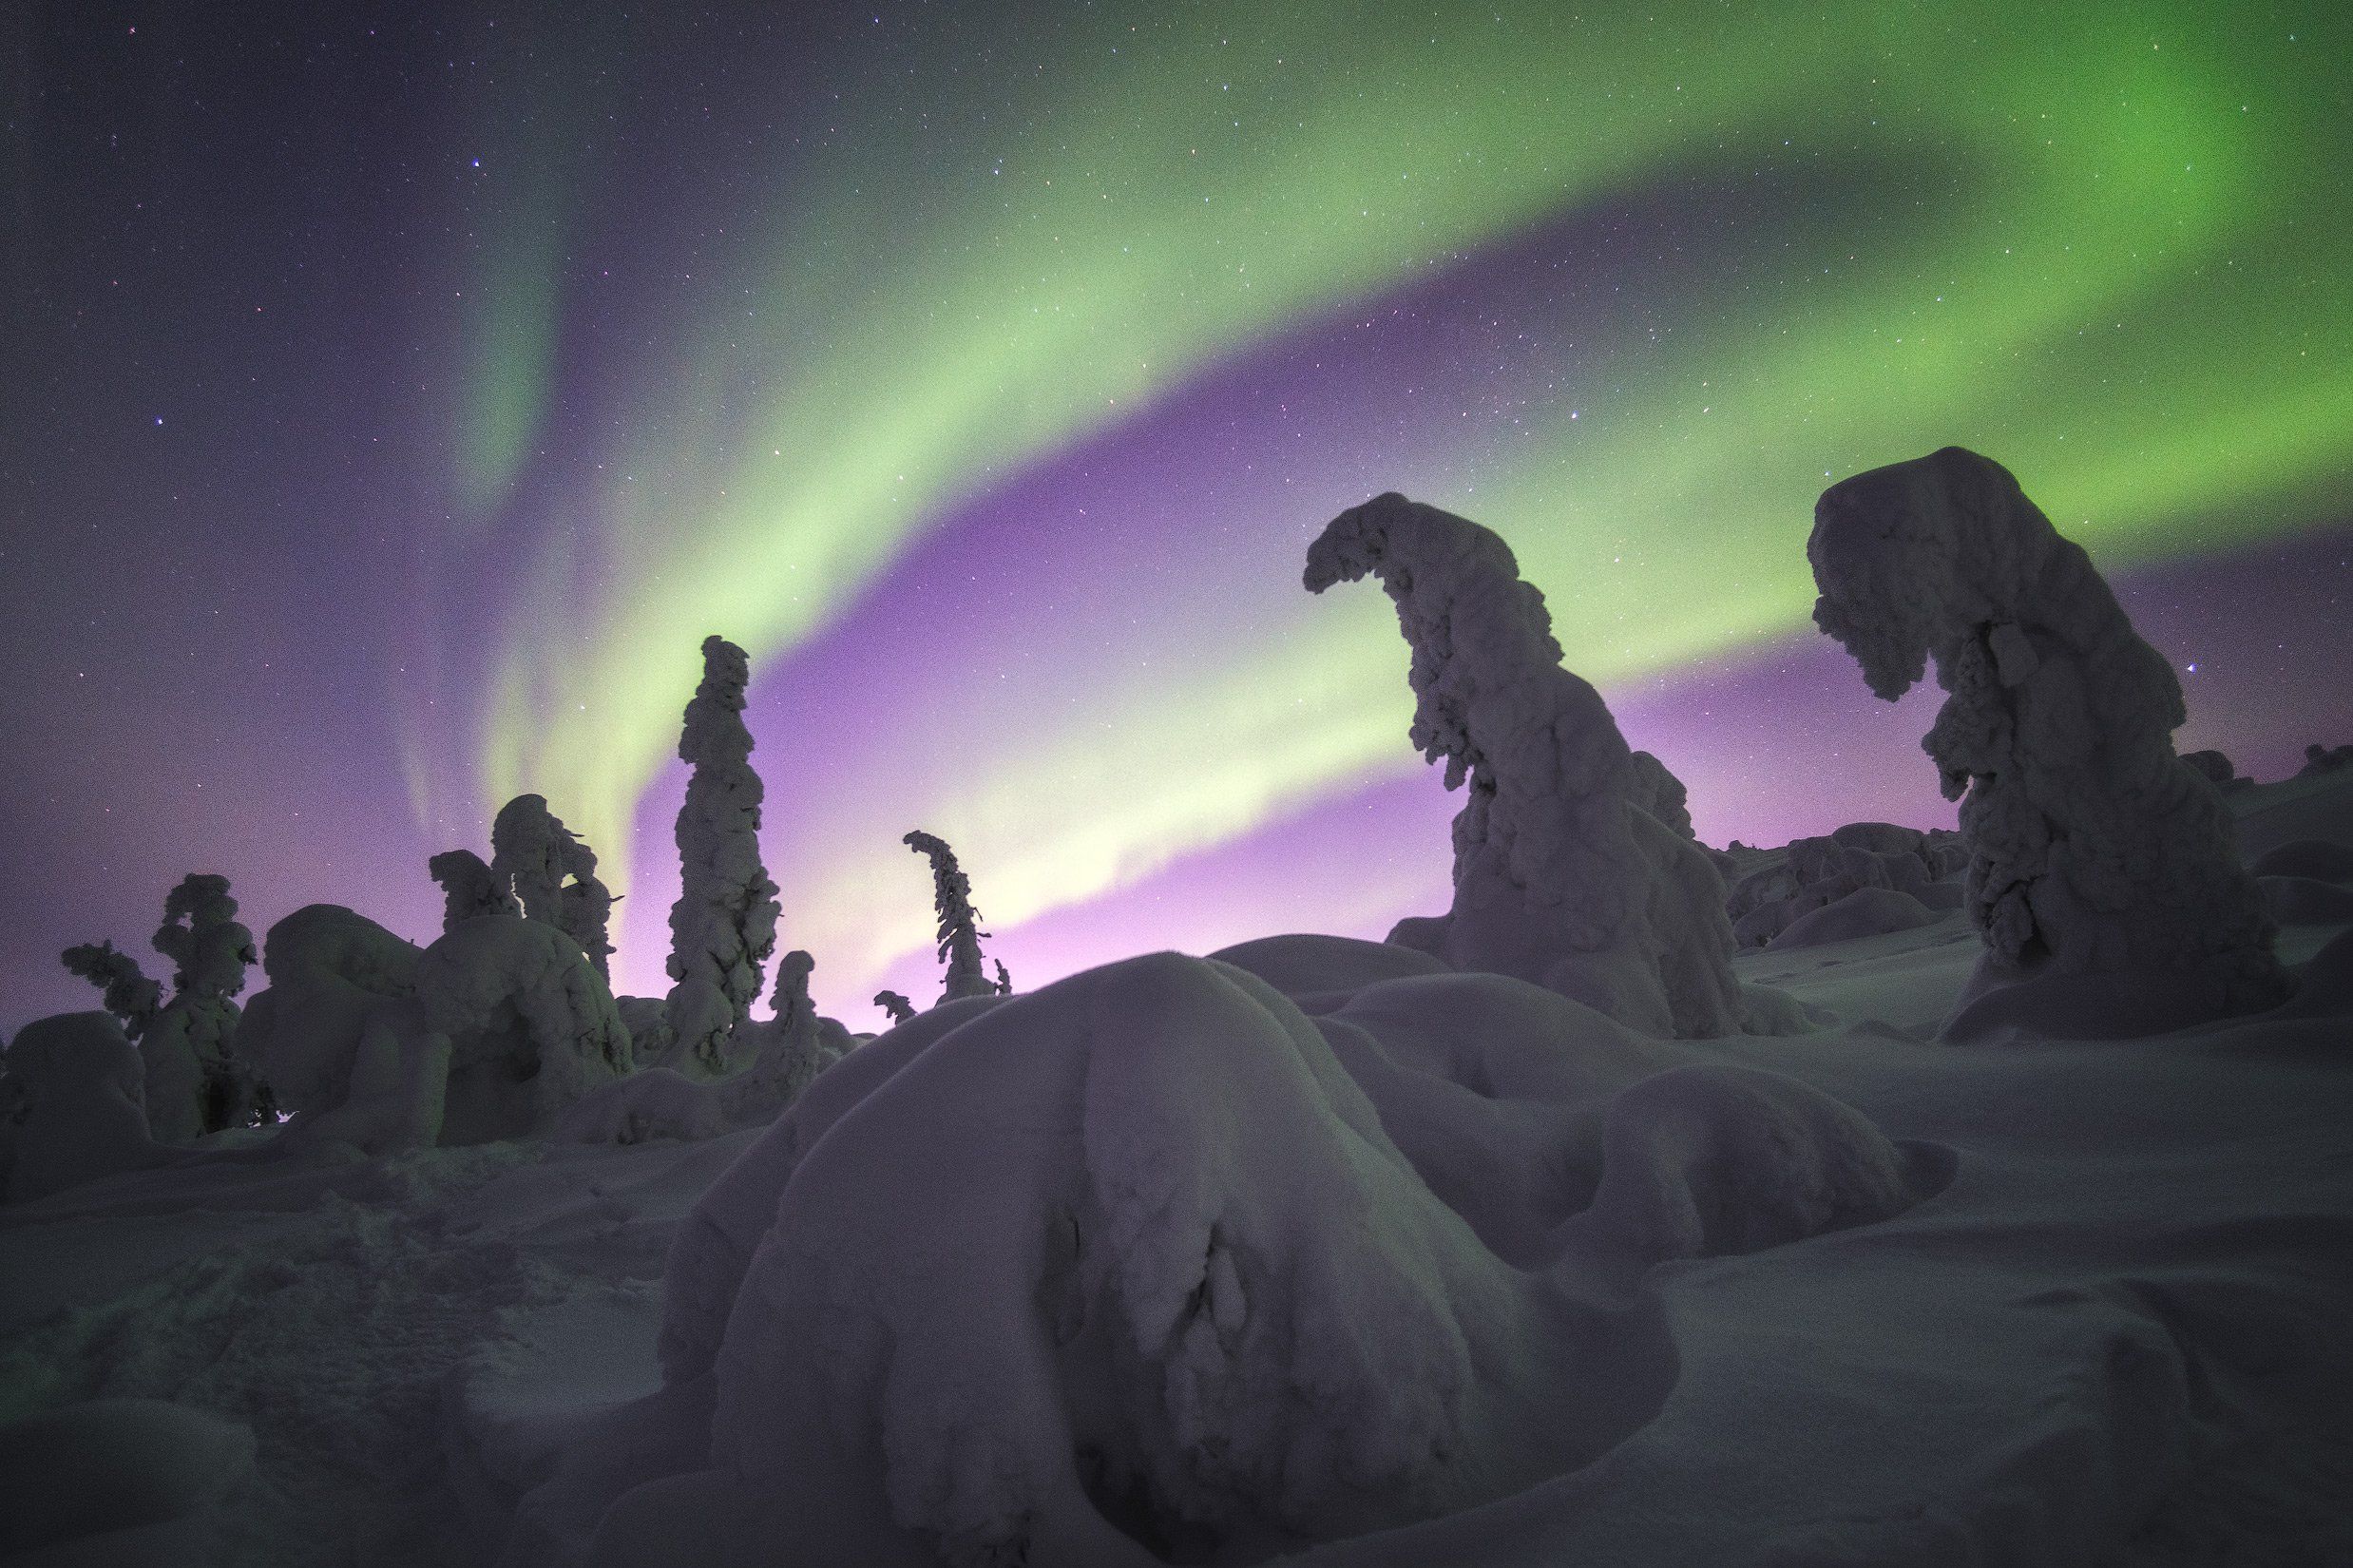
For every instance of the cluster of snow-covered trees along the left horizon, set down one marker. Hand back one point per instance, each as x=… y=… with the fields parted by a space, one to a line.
x=505 y=1025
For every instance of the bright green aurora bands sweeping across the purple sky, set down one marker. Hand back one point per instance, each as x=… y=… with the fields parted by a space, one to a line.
x=2102 y=244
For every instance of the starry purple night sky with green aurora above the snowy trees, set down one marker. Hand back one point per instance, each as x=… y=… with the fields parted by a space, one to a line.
x=392 y=397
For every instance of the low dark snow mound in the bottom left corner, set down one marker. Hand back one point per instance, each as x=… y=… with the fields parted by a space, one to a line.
x=105 y=1473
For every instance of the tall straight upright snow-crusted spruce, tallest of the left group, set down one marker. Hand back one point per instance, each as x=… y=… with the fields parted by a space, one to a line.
x=724 y=924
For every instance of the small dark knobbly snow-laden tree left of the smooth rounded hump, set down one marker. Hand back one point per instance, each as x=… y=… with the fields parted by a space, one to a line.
x=194 y=1084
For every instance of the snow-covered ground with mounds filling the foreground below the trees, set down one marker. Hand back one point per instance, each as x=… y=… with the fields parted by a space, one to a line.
x=1317 y=1256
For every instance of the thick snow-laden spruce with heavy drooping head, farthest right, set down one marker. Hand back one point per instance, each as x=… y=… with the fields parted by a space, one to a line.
x=2093 y=849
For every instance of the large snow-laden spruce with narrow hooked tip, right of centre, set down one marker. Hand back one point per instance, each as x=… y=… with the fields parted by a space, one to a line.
x=1561 y=872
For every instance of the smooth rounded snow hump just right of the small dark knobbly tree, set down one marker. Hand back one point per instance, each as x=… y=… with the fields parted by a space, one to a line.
x=328 y=969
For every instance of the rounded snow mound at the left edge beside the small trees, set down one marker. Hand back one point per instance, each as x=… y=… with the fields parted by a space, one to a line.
x=72 y=1105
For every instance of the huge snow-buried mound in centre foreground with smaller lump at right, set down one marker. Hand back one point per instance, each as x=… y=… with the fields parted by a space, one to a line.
x=1152 y=1265
